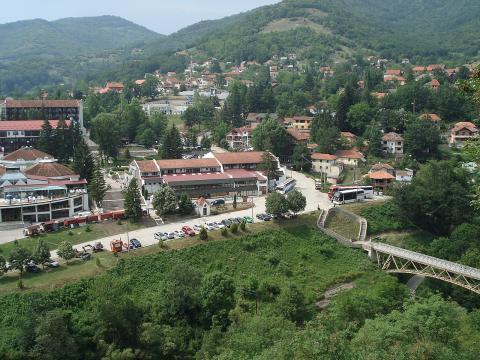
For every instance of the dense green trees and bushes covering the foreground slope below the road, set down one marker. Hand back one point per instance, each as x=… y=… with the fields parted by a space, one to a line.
x=252 y=298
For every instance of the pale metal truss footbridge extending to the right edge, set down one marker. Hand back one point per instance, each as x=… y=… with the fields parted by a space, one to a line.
x=397 y=260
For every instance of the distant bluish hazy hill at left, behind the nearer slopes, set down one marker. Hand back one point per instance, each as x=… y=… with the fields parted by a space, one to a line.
x=67 y=37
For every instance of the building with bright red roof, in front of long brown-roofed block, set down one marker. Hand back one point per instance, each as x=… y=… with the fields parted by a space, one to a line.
x=16 y=134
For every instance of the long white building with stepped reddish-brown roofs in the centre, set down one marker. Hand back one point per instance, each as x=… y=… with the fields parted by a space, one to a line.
x=217 y=174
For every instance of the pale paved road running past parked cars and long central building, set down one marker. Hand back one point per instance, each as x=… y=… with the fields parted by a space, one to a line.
x=306 y=185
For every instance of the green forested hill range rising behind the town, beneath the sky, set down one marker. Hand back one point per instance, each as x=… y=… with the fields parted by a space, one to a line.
x=425 y=31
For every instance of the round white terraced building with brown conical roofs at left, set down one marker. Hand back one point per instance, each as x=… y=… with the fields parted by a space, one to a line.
x=42 y=192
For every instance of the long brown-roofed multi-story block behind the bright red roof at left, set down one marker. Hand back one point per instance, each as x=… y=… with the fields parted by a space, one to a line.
x=42 y=109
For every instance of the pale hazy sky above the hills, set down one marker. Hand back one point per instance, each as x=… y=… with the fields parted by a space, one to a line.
x=163 y=16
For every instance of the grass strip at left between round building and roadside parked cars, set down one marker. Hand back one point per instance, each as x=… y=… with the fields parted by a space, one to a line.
x=76 y=236
